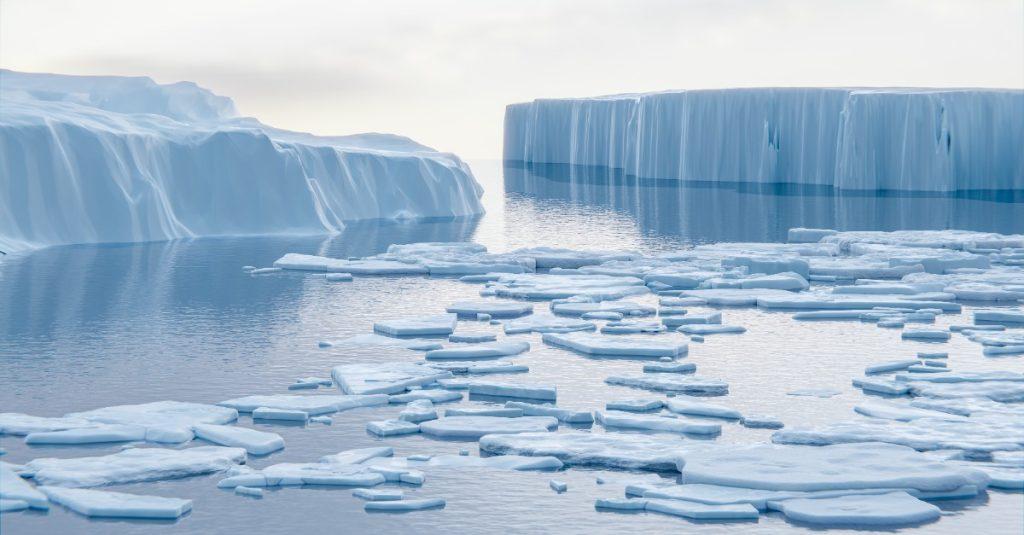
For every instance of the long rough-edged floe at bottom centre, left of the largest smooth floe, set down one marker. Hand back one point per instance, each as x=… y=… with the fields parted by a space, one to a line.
x=625 y=451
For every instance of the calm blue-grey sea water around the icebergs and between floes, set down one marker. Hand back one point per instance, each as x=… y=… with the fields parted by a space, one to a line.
x=83 y=327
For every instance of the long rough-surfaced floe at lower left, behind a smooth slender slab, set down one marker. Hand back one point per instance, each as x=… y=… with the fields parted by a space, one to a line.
x=137 y=465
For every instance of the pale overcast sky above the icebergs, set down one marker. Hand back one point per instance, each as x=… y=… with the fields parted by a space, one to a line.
x=442 y=72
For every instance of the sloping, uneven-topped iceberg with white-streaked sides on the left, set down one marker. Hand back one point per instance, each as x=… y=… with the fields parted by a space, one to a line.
x=113 y=159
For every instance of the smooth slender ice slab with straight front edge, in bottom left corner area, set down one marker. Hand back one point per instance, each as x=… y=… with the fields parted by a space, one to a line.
x=117 y=505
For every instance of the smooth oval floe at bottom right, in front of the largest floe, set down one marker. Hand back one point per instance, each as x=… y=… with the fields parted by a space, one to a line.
x=895 y=509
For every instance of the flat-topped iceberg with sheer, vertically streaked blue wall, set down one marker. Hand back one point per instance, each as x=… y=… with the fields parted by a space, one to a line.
x=908 y=140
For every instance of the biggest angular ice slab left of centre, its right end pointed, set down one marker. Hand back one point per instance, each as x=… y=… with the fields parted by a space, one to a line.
x=385 y=378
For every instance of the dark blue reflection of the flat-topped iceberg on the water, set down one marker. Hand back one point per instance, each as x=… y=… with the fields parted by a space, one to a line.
x=705 y=212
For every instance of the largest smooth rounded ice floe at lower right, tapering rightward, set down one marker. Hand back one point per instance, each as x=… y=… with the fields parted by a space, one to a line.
x=868 y=466
